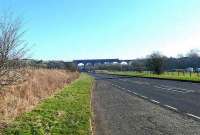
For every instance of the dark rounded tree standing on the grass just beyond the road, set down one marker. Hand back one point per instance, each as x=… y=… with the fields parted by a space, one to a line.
x=156 y=62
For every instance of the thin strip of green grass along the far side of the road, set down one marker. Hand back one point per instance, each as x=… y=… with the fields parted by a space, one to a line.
x=167 y=75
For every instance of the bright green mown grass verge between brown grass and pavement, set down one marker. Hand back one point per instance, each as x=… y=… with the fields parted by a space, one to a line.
x=66 y=113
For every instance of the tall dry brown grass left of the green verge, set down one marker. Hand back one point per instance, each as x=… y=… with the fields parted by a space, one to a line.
x=39 y=84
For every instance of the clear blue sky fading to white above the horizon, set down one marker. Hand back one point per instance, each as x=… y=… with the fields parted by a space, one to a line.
x=125 y=29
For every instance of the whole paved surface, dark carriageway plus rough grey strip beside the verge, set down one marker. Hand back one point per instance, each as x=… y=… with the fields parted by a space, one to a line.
x=166 y=104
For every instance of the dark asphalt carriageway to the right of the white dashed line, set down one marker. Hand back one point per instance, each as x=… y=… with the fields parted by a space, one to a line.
x=181 y=96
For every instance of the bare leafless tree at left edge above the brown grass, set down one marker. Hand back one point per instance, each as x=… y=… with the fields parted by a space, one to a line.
x=12 y=48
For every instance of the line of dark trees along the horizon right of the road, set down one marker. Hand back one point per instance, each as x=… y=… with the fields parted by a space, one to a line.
x=158 y=63
